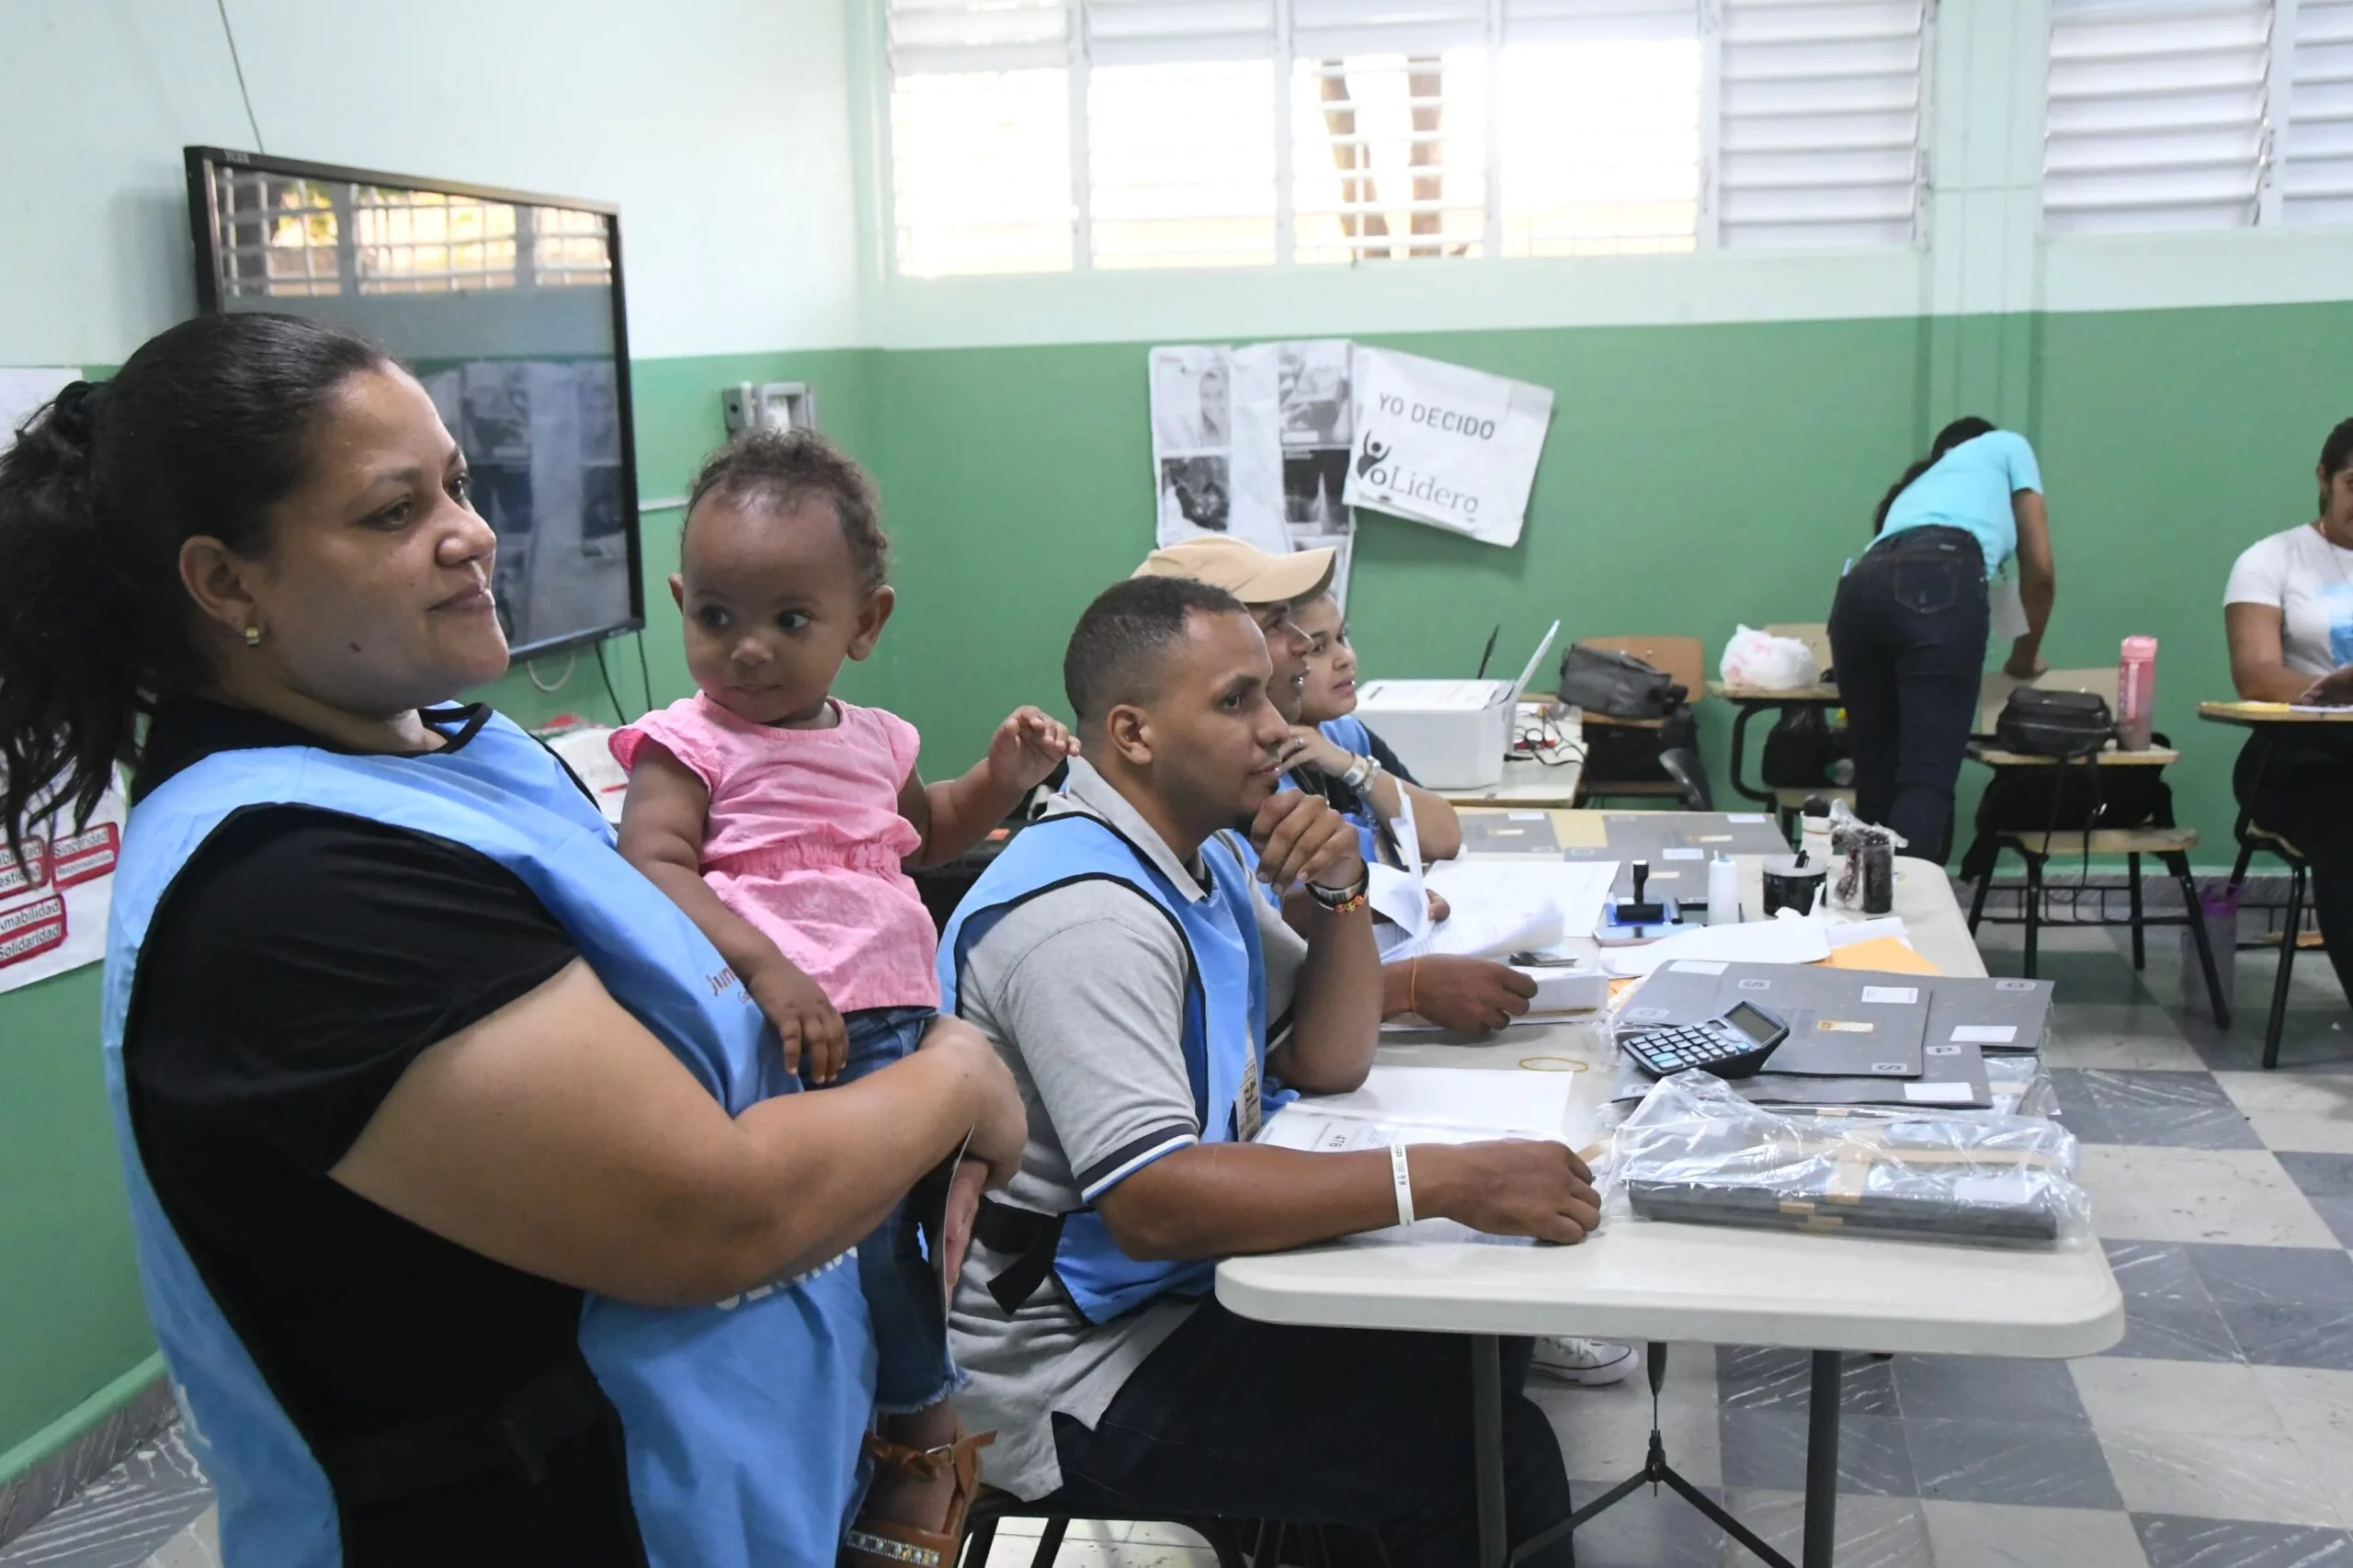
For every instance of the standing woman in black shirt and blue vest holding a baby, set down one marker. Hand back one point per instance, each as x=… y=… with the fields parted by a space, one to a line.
x=476 y=1214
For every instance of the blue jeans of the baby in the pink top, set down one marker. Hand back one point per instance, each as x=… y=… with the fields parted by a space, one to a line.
x=895 y=1273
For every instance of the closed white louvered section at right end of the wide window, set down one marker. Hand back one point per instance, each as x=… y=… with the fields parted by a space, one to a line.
x=1820 y=124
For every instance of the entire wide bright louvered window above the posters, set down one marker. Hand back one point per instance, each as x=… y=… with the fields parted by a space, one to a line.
x=1039 y=135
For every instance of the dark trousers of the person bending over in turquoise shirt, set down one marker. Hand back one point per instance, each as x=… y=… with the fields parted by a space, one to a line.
x=1909 y=646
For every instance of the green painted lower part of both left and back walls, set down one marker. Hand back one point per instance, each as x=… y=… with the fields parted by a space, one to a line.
x=1695 y=477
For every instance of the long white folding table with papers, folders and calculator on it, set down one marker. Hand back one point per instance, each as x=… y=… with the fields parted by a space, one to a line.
x=1646 y=1282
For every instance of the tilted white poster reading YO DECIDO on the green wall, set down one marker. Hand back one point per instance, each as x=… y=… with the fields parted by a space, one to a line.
x=1446 y=446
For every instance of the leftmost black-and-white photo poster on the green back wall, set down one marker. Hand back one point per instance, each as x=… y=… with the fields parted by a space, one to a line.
x=1215 y=460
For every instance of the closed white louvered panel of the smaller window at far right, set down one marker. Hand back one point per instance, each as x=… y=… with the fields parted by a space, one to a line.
x=2157 y=117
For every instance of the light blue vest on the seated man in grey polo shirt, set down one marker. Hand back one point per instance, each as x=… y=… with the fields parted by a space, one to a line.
x=1225 y=1018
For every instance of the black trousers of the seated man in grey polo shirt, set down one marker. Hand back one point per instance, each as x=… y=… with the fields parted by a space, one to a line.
x=1317 y=1426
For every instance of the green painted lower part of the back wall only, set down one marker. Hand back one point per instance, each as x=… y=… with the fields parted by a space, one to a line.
x=1695 y=479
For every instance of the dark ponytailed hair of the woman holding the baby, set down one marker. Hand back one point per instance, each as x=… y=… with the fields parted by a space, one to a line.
x=206 y=427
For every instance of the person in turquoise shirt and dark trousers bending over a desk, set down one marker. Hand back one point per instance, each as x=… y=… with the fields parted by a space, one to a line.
x=1912 y=623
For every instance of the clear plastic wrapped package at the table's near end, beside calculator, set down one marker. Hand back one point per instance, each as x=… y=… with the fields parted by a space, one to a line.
x=1700 y=1155
